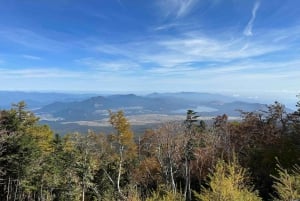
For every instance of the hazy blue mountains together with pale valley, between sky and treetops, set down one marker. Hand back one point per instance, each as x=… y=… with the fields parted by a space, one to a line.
x=66 y=112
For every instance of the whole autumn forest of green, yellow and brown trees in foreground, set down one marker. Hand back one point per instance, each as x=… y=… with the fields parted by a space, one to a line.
x=256 y=158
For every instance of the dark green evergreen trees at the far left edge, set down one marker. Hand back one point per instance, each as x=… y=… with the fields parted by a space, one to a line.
x=21 y=152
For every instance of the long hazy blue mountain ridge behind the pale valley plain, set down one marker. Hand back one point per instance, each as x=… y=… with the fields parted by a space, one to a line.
x=96 y=108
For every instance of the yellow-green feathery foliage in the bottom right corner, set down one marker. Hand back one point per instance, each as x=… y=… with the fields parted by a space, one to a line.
x=287 y=184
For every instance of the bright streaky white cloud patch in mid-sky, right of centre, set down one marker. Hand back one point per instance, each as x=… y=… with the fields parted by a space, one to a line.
x=199 y=48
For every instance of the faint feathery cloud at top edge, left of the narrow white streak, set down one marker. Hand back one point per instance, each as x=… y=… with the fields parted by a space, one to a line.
x=177 y=8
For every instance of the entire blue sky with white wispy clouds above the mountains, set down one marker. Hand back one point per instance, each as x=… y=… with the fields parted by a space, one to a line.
x=238 y=47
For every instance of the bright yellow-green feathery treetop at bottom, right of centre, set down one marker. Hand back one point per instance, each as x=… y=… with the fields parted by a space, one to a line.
x=228 y=182
